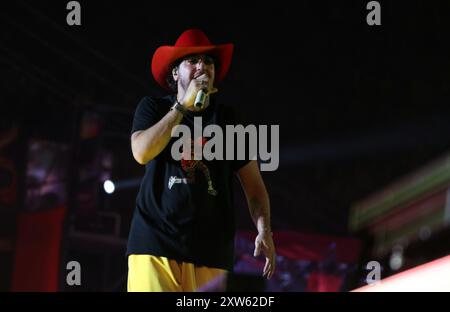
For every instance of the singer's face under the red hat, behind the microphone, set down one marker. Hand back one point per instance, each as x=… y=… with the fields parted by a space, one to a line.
x=194 y=66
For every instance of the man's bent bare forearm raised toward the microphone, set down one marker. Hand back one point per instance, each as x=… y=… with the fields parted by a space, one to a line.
x=147 y=144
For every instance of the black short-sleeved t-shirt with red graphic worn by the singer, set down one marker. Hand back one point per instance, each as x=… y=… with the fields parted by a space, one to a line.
x=184 y=209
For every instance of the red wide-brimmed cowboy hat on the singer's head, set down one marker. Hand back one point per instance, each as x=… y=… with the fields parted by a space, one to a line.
x=191 y=41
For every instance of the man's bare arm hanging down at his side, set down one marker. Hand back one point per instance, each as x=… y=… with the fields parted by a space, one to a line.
x=259 y=207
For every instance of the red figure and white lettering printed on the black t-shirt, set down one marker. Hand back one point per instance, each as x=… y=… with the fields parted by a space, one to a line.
x=190 y=166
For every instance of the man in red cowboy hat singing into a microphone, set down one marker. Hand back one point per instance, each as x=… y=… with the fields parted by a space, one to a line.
x=183 y=227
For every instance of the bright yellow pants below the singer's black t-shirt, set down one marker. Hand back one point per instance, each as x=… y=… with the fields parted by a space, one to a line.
x=151 y=273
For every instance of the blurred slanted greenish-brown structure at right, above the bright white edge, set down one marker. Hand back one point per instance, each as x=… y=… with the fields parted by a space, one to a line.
x=410 y=211
